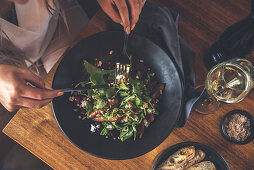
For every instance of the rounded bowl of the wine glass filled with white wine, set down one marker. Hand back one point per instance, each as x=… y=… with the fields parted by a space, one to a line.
x=230 y=81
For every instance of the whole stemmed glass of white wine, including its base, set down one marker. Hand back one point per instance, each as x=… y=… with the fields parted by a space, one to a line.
x=227 y=82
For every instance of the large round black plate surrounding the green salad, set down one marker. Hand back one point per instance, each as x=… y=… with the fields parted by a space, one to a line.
x=78 y=131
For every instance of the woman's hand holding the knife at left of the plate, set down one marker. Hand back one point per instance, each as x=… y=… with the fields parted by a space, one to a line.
x=16 y=93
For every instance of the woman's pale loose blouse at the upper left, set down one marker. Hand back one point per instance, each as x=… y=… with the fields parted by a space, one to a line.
x=40 y=34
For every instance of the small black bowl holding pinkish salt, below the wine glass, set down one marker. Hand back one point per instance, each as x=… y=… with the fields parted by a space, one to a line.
x=223 y=128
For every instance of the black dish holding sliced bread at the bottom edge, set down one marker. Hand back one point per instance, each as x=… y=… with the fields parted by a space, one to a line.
x=211 y=155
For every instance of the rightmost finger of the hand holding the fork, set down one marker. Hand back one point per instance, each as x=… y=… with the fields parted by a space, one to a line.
x=135 y=11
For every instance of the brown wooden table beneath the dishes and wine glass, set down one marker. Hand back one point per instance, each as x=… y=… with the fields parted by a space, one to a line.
x=201 y=23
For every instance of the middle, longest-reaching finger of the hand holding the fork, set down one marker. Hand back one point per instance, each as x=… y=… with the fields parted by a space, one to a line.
x=124 y=14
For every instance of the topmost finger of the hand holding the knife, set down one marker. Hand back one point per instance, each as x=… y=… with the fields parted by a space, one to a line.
x=32 y=78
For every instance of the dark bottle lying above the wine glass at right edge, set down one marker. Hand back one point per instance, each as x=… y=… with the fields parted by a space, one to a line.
x=235 y=42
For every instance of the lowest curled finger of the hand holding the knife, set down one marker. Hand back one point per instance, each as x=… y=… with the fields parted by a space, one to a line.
x=34 y=104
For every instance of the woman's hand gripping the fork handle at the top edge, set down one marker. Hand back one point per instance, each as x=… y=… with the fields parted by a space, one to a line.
x=121 y=15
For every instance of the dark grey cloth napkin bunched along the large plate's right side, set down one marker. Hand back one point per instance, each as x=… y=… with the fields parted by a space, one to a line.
x=160 y=25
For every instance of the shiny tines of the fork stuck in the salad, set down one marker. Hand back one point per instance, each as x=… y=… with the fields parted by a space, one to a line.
x=122 y=73
